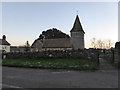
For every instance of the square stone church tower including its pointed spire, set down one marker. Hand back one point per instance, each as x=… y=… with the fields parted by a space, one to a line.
x=77 y=35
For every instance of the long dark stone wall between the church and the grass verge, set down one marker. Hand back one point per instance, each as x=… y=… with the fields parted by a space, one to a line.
x=81 y=54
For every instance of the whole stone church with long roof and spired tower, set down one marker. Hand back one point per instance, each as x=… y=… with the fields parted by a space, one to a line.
x=76 y=40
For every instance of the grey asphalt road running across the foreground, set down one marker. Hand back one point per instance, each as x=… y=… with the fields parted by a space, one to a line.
x=45 y=78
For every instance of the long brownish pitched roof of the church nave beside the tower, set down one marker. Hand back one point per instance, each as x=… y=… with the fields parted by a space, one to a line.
x=57 y=43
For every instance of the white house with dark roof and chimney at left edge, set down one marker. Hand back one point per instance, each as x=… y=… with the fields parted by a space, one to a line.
x=4 y=44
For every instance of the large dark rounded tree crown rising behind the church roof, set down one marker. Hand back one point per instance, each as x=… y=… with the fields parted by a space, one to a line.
x=53 y=33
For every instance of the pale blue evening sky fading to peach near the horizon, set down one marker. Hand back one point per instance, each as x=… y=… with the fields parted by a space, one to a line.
x=25 y=21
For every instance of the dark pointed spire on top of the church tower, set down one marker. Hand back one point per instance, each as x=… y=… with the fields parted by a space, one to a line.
x=77 y=25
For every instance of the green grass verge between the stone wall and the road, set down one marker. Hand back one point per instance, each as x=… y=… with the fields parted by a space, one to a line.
x=76 y=64
